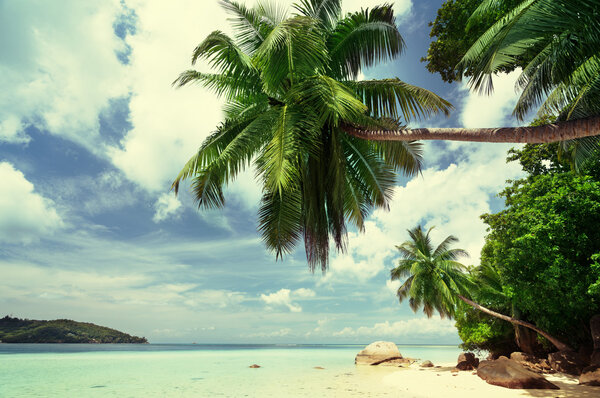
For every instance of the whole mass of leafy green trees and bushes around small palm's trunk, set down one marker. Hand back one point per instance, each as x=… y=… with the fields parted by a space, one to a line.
x=544 y=248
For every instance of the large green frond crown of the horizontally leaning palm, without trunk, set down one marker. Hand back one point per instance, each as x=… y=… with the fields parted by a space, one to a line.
x=289 y=82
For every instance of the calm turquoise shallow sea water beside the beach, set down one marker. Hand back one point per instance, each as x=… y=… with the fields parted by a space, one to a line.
x=154 y=370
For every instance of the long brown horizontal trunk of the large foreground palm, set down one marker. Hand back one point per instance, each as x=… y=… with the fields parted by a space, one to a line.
x=559 y=131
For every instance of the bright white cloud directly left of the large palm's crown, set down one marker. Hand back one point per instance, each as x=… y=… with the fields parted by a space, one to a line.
x=169 y=125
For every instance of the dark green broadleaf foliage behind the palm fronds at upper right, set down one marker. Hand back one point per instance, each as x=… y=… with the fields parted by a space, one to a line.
x=453 y=39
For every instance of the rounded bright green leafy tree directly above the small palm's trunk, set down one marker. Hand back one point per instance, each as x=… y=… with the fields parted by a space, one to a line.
x=542 y=247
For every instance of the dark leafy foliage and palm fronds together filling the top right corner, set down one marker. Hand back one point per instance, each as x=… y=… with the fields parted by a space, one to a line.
x=555 y=43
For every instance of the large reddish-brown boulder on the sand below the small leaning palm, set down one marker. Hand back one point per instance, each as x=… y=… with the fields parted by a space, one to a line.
x=507 y=373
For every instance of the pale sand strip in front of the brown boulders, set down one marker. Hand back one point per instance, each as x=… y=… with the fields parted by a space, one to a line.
x=418 y=382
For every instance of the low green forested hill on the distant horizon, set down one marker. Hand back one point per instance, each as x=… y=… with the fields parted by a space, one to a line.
x=15 y=330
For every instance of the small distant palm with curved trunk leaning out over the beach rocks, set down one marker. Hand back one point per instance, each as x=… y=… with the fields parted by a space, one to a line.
x=435 y=280
